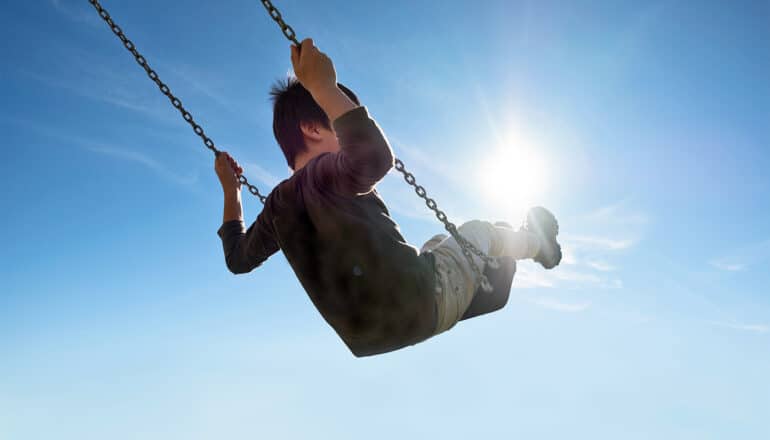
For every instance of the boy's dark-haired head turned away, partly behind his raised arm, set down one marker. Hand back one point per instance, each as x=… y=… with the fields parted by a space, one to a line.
x=299 y=124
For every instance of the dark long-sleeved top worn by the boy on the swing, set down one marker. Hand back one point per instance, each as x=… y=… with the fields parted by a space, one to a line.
x=372 y=287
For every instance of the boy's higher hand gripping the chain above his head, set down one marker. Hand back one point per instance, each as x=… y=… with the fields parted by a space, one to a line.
x=313 y=68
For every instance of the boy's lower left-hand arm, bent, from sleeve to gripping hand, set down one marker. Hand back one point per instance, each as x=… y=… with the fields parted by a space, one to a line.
x=244 y=249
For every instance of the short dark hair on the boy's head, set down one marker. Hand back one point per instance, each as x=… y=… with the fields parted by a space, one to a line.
x=292 y=104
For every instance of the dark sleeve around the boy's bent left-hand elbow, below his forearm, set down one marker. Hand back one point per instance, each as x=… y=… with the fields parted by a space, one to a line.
x=246 y=249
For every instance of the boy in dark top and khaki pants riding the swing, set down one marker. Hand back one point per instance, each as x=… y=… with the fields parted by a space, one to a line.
x=377 y=292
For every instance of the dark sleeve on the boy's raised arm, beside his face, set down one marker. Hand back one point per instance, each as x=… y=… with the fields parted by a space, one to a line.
x=365 y=156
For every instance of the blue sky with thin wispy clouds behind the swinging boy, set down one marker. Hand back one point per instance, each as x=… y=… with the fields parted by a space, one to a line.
x=643 y=126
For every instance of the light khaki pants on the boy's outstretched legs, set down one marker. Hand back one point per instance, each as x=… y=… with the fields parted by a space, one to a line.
x=456 y=282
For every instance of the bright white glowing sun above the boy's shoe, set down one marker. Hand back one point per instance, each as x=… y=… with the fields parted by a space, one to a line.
x=513 y=178
